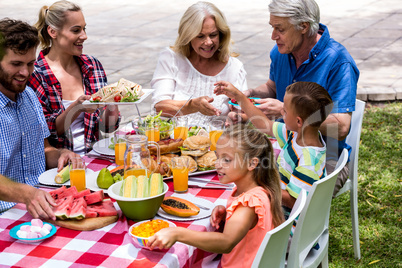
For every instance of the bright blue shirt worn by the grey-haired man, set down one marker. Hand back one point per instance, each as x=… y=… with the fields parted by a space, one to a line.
x=329 y=65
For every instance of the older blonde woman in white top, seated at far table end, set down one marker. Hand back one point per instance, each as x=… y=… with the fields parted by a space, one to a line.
x=200 y=57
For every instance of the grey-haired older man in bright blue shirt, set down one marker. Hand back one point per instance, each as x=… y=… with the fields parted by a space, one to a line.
x=304 y=51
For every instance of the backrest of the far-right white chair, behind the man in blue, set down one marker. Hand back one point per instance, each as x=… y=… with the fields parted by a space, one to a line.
x=353 y=138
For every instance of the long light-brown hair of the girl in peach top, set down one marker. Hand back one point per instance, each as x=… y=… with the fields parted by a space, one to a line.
x=253 y=143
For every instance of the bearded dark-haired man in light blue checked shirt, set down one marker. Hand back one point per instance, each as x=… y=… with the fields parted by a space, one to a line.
x=24 y=150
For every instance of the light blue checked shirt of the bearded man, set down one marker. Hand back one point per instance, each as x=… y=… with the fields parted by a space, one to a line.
x=22 y=132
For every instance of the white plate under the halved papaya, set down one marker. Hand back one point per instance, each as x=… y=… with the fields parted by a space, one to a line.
x=203 y=212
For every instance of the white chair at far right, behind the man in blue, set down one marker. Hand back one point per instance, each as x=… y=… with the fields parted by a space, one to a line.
x=353 y=139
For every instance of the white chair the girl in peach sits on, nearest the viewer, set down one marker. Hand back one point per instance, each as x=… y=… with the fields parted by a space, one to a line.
x=272 y=250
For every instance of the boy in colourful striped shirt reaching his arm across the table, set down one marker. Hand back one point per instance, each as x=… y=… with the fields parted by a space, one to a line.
x=302 y=158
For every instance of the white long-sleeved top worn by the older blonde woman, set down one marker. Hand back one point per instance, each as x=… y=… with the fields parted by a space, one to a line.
x=175 y=78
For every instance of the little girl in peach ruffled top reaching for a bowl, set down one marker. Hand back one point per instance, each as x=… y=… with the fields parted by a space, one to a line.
x=245 y=157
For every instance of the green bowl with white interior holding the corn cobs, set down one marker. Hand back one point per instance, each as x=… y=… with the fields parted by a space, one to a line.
x=137 y=208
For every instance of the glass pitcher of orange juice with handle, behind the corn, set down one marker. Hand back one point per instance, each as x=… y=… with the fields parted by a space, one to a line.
x=137 y=158
